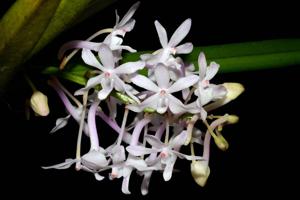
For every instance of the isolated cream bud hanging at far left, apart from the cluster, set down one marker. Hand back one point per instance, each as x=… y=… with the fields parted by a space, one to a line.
x=39 y=103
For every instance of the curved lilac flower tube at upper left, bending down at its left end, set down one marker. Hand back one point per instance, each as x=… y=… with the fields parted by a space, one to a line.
x=77 y=44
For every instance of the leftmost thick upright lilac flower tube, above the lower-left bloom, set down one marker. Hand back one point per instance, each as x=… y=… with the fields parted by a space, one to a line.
x=92 y=126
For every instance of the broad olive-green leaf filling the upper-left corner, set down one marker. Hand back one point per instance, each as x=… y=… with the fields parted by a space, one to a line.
x=31 y=24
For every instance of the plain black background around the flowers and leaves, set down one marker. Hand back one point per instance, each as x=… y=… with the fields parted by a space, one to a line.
x=261 y=160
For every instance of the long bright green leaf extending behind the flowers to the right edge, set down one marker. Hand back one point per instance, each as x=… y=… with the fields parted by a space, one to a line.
x=244 y=56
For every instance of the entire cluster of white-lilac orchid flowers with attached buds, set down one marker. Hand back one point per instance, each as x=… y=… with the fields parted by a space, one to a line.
x=170 y=102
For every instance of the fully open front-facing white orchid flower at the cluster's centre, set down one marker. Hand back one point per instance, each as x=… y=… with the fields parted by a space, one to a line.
x=162 y=99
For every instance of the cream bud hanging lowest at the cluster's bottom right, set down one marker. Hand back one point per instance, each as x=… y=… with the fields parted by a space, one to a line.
x=200 y=172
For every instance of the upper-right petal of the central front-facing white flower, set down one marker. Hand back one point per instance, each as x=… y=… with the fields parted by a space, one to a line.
x=183 y=83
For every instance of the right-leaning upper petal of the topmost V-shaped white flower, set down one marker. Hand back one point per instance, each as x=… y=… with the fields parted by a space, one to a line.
x=180 y=33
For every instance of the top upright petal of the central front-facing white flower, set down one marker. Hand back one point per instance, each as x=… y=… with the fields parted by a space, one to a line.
x=162 y=76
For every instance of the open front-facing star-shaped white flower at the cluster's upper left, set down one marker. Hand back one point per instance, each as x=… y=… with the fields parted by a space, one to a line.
x=110 y=78
